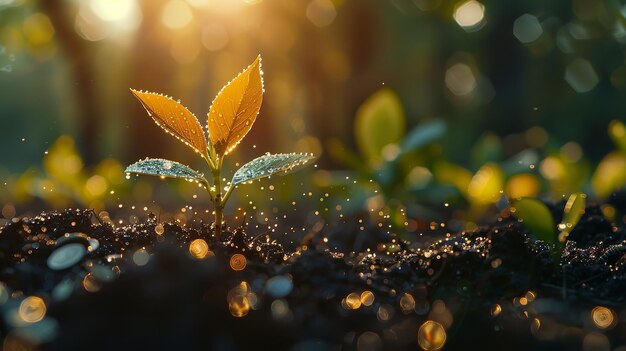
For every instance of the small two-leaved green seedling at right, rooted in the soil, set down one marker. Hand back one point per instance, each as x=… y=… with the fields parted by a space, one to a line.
x=537 y=218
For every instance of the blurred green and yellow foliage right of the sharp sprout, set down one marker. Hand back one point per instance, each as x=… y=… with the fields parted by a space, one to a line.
x=427 y=180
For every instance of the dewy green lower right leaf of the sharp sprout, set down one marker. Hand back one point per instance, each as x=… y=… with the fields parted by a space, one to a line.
x=268 y=165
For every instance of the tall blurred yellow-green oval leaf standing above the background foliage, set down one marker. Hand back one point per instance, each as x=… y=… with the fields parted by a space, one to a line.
x=380 y=121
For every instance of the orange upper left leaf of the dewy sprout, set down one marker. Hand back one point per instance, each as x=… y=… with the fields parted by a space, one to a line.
x=174 y=118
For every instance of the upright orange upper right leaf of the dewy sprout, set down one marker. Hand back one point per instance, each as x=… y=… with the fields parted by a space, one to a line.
x=235 y=108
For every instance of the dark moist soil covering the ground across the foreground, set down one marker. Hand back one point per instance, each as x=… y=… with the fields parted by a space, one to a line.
x=178 y=302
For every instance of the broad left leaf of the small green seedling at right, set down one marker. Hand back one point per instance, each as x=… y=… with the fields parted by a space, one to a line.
x=536 y=218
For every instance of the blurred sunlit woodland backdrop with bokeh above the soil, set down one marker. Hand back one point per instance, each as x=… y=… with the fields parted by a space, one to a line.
x=519 y=96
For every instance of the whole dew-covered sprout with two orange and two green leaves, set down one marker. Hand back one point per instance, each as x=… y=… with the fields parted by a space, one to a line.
x=230 y=118
